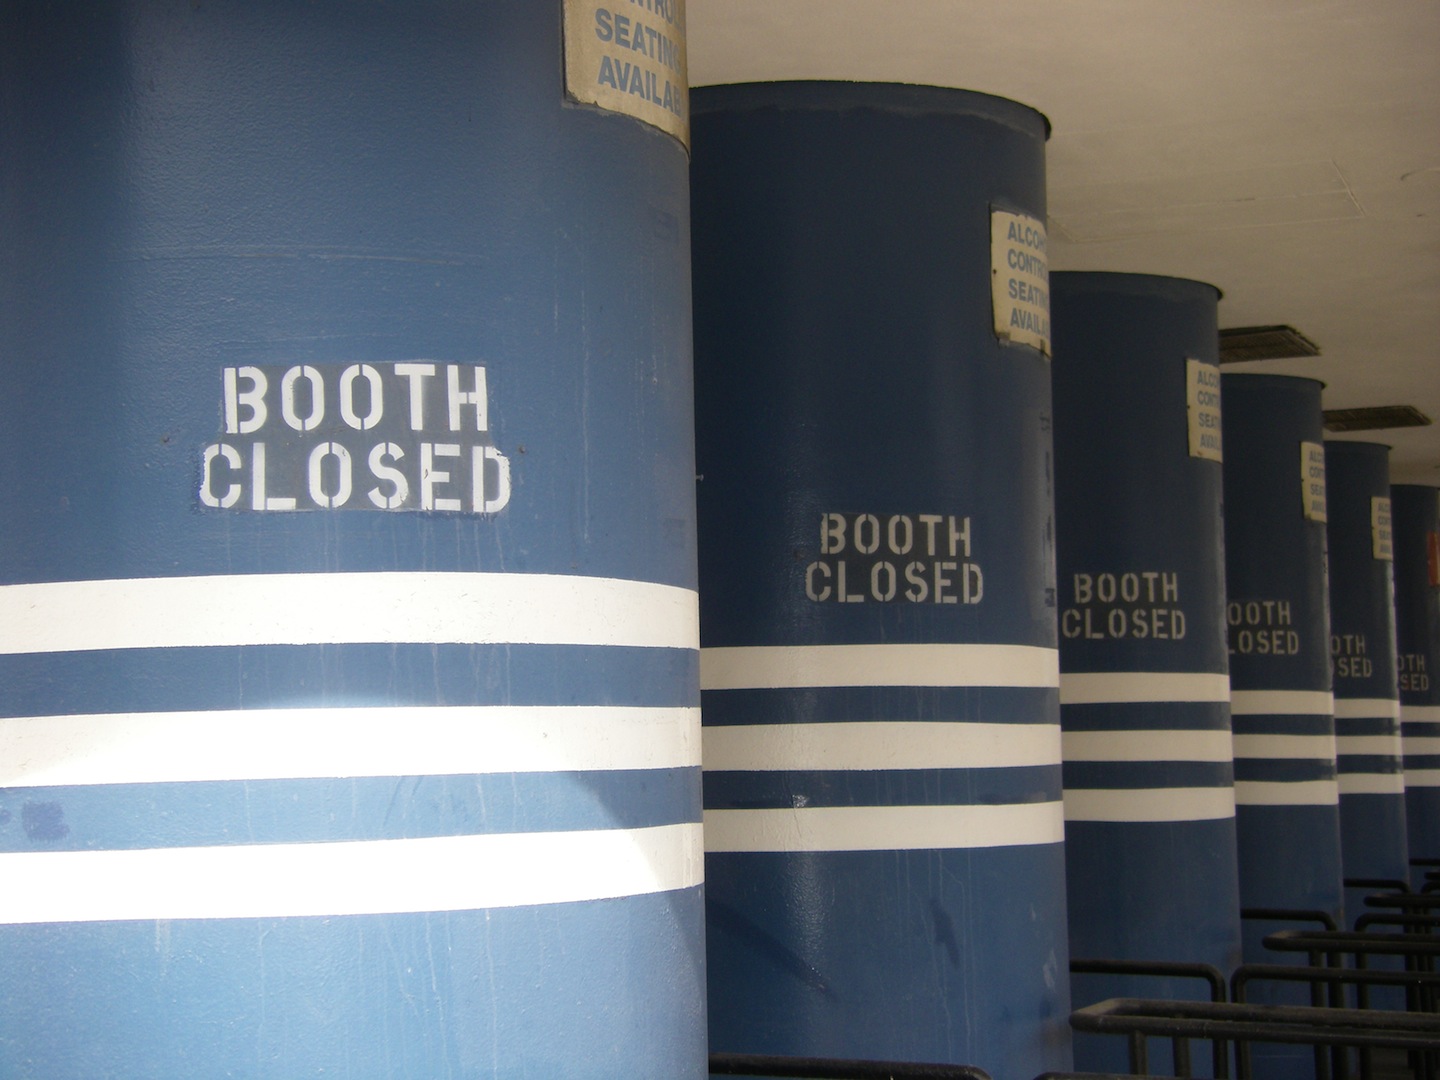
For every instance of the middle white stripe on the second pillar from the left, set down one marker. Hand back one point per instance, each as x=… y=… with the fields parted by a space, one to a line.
x=881 y=745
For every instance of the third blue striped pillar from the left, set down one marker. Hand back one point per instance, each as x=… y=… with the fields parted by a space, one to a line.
x=1150 y=790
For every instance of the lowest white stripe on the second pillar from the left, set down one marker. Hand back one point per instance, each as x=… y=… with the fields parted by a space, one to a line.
x=883 y=829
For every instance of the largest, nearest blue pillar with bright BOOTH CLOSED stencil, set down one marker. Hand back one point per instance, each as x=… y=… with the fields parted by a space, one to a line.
x=349 y=643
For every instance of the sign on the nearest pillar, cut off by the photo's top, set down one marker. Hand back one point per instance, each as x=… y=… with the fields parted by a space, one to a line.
x=630 y=57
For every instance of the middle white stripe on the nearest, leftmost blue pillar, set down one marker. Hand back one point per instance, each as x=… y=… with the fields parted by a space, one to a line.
x=290 y=744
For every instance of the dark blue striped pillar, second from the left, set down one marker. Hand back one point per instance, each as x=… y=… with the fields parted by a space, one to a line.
x=883 y=819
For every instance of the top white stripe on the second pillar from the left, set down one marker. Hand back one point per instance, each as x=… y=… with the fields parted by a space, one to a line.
x=786 y=667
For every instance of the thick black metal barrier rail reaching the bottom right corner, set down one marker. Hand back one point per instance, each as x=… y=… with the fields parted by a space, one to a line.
x=1295 y=1025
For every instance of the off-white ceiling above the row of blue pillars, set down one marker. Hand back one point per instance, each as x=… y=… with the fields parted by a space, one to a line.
x=1284 y=150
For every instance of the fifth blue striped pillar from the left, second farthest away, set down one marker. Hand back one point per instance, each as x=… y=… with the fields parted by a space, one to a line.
x=1363 y=657
